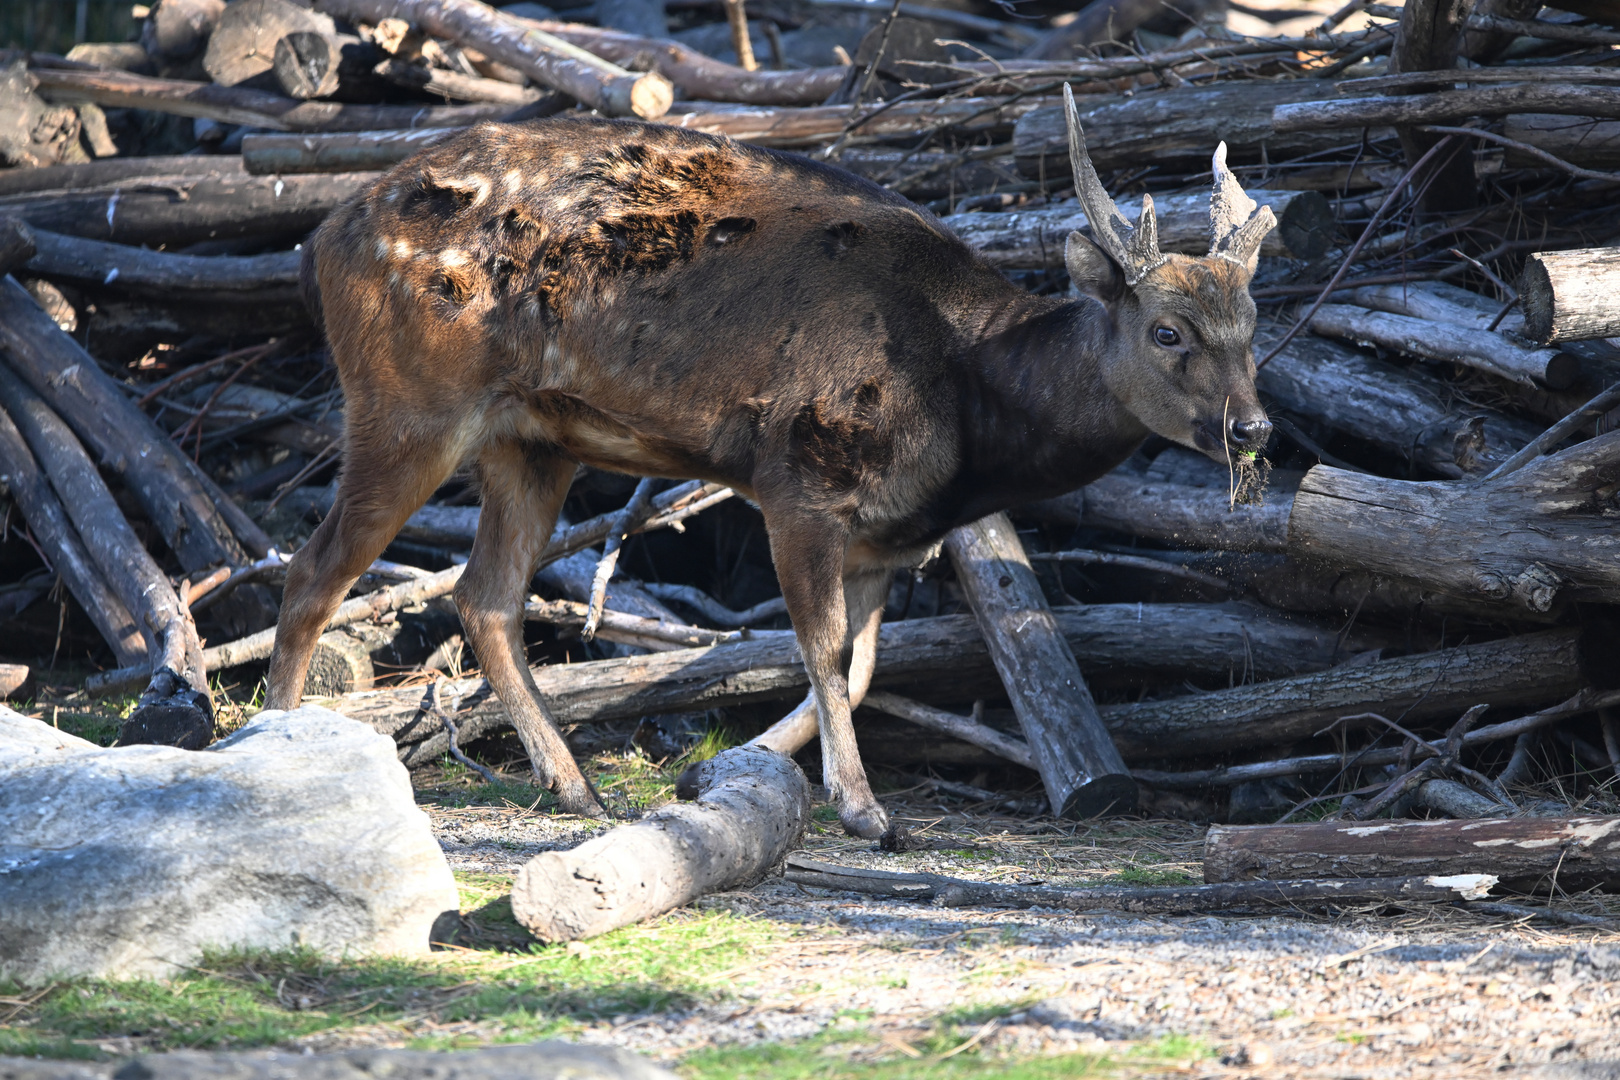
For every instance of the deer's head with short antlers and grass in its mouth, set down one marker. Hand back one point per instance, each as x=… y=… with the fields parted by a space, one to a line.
x=1182 y=355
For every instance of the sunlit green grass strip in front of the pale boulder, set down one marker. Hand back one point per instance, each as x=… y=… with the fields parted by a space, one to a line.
x=244 y=1000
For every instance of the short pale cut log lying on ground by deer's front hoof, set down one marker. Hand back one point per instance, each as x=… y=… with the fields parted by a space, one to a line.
x=752 y=807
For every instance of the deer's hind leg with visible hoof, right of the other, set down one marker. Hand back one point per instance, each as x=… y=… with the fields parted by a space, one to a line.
x=524 y=487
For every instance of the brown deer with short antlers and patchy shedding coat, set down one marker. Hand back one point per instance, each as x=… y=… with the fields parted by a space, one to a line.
x=526 y=299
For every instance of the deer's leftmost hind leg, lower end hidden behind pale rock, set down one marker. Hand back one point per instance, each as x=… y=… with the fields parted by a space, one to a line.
x=377 y=491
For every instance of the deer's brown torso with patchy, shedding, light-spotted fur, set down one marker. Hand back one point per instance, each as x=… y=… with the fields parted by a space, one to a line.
x=670 y=302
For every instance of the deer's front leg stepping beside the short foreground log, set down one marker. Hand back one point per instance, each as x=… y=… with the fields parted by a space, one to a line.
x=809 y=555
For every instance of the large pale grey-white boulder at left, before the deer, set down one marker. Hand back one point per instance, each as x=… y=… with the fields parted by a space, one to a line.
x=301 y=830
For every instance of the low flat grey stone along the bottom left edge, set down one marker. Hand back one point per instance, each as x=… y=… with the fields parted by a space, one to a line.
x=539 y=1061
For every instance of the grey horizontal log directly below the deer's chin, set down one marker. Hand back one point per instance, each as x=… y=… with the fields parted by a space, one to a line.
x=1177 y=514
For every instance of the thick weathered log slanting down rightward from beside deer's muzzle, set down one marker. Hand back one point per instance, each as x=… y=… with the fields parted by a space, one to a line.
x=1404 y=412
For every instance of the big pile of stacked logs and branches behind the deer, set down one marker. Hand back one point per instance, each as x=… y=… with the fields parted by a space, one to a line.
x=1431 y=532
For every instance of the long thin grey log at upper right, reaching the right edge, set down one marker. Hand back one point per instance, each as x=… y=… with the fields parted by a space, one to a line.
x=1300 y=117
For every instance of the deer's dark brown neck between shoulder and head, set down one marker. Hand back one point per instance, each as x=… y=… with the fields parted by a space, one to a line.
x=1042 y=420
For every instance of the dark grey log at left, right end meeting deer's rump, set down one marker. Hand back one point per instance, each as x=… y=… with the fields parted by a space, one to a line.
x=263 y=279
